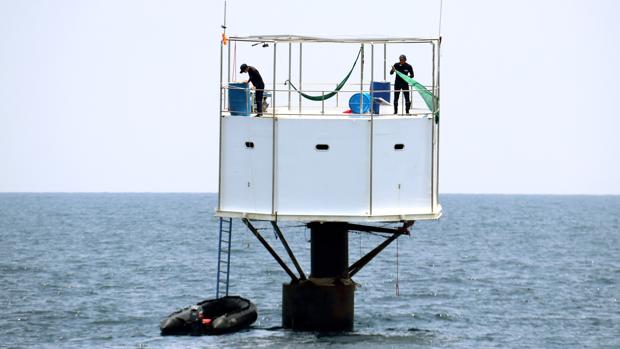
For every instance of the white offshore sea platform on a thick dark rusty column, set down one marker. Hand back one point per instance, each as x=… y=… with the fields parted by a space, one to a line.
x=336 y=167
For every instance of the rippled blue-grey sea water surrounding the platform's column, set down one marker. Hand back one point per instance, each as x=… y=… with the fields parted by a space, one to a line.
x=497 y=271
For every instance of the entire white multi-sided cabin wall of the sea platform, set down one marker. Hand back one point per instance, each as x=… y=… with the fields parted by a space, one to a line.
x=313 y=183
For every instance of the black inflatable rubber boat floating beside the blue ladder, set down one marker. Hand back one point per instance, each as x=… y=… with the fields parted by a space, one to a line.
x=212 y=316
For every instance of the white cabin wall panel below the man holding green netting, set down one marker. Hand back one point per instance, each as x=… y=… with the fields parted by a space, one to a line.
x=402 y=178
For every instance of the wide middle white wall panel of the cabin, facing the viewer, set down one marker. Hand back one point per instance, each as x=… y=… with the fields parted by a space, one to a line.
x=323 y=182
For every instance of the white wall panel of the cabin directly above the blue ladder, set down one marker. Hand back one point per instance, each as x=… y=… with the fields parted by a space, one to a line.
x=246 y=172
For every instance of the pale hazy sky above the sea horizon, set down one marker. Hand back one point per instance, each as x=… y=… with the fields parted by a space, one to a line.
x=122 y=95
